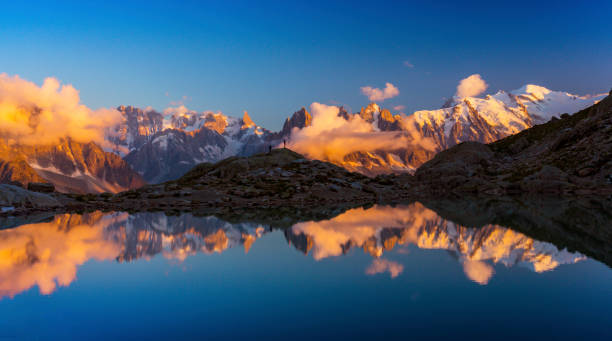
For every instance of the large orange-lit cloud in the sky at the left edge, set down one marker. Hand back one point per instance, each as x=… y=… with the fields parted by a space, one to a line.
x=32 y=114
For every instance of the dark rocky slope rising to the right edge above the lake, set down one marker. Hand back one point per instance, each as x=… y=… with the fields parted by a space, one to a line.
x=571 y=155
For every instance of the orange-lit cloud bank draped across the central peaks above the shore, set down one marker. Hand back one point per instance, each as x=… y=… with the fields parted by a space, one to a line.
x=331 y=137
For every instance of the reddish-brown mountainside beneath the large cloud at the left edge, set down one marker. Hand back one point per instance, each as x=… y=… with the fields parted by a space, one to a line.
x=69 y=165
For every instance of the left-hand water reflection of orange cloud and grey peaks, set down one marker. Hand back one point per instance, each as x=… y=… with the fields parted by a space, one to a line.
x=48 y=254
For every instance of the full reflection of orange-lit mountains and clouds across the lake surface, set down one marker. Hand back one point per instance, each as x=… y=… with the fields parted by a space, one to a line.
x=48 y=254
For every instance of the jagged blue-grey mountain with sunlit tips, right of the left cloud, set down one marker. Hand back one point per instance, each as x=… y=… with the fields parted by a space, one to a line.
x=163 y=147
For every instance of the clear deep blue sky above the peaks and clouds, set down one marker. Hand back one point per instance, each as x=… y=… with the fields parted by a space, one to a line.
x=271 y=58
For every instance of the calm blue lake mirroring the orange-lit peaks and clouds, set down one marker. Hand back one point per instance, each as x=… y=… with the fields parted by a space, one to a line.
x=381 y=272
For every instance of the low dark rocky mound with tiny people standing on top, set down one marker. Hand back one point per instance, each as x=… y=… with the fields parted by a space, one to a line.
x=275 y=180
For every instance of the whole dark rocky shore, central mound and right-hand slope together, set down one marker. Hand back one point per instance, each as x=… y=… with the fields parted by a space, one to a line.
x=571 y=156
